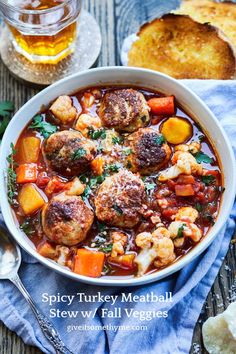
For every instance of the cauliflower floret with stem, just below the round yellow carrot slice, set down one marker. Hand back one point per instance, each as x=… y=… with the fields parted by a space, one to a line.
x=183 y=163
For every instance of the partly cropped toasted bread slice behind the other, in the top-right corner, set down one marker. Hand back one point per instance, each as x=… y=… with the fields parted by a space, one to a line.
x=221 y=15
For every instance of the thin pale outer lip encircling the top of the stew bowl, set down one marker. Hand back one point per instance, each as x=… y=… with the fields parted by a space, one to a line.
x=128 y=281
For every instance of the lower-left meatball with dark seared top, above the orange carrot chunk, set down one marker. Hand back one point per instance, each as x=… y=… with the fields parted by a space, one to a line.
x=66 y=219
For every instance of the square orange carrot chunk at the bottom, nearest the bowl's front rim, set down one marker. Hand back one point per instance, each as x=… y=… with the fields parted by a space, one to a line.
x=89 y=263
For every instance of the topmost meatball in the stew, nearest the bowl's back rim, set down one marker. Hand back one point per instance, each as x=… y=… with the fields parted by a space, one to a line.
x=124 y=110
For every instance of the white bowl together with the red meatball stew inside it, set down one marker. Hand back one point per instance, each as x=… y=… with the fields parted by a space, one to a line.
x=116 y=176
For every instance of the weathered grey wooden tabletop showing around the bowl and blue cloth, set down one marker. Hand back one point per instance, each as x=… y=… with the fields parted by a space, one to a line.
x=117 y=19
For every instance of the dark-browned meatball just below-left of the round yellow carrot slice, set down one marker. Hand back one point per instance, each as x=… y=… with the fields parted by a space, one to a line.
x=148 y=151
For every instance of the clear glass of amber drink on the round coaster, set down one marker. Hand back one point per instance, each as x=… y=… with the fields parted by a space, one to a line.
x=44 y=31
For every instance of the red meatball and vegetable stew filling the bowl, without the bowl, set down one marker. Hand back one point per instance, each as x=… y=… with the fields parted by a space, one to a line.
x=114 y=181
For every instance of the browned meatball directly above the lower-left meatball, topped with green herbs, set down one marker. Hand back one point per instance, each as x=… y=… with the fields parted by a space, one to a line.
x=69 y=152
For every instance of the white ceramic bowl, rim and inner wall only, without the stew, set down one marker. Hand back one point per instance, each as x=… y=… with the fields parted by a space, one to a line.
x=137 y=77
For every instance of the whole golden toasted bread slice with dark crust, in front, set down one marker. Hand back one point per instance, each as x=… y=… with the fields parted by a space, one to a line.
x=183 y=48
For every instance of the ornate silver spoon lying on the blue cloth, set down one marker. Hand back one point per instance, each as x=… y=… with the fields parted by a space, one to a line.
x=10 y=260
